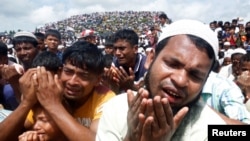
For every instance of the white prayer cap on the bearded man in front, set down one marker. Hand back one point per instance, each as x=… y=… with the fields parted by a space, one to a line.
x=192 y=27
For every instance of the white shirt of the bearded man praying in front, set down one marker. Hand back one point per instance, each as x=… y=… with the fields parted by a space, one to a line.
x=113 y=123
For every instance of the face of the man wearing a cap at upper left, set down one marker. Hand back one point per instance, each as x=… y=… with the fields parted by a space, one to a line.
x=26 y=52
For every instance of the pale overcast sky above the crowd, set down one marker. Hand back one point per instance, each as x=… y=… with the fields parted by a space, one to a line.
x=28 y=14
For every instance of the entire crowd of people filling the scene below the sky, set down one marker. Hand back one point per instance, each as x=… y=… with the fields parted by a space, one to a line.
x=161 y=80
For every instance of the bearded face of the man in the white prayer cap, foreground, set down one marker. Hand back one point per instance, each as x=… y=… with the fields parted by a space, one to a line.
x=179 y=71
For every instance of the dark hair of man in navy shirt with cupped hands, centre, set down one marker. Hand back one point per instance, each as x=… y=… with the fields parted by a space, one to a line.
x=126 y=34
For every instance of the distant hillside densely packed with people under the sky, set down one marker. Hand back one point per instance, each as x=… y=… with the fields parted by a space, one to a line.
x=104 y=23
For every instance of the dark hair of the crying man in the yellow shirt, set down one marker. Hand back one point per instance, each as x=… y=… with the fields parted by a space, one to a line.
x=85 y=55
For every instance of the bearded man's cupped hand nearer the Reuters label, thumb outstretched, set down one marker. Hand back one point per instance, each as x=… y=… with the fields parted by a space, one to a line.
x=160 y=124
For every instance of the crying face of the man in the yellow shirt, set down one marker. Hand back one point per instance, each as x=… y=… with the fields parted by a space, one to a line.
x=78 y=83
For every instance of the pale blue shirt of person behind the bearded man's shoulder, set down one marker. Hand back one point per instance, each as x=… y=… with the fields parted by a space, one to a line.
x=223 y=95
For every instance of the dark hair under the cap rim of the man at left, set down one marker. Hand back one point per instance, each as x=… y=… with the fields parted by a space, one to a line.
x=24 y=39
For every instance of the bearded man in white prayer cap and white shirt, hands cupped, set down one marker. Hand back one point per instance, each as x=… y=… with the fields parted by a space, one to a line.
x=169 y=107
